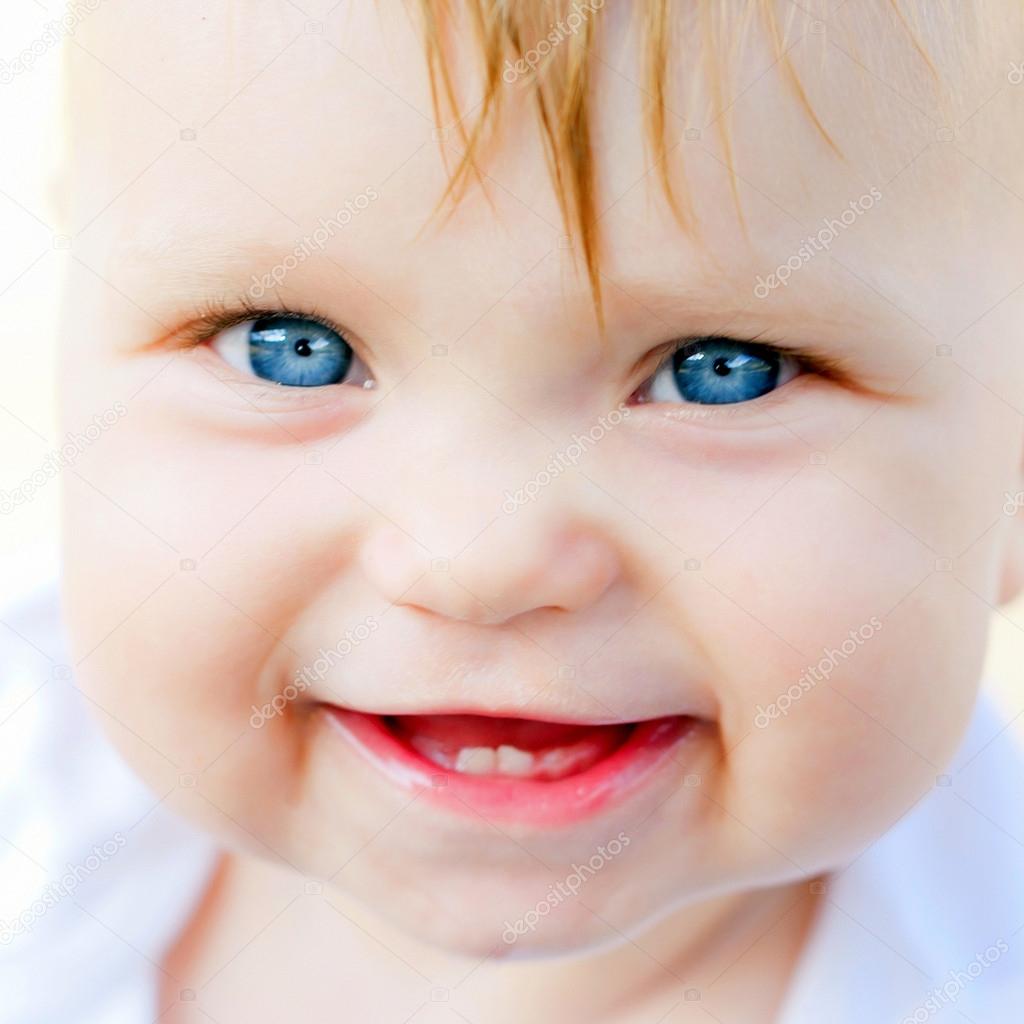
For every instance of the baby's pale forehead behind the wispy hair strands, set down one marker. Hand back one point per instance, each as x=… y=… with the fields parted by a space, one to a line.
x=201 y=140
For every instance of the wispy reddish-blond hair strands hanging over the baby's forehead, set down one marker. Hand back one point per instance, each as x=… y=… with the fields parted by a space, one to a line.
x=505 y=32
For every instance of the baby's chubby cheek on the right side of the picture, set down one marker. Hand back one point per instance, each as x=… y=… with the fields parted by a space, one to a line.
x=848 y=659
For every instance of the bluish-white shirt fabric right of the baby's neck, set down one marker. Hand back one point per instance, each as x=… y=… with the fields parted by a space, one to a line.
x=928 y=924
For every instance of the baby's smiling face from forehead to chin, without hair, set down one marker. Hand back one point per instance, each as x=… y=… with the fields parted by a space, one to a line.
x=400 y=570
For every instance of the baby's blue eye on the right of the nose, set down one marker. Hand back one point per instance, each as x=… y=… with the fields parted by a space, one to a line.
x=720 y=372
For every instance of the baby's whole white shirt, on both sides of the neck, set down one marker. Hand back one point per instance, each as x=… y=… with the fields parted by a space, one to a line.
x=98 y=879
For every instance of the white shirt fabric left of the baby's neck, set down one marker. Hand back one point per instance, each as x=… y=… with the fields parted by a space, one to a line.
x=89 y=952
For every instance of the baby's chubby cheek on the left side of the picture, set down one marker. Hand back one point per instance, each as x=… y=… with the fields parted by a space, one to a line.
x=188 y=557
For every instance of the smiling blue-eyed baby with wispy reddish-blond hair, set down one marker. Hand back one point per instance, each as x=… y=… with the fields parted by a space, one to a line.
x=560 y=501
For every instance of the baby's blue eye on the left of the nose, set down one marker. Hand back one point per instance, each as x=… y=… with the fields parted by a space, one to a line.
x=292 y=351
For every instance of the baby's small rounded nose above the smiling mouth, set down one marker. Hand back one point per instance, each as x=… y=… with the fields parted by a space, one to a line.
x=488 y=532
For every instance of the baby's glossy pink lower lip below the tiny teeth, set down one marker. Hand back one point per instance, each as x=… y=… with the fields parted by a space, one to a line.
x=646 y=755
